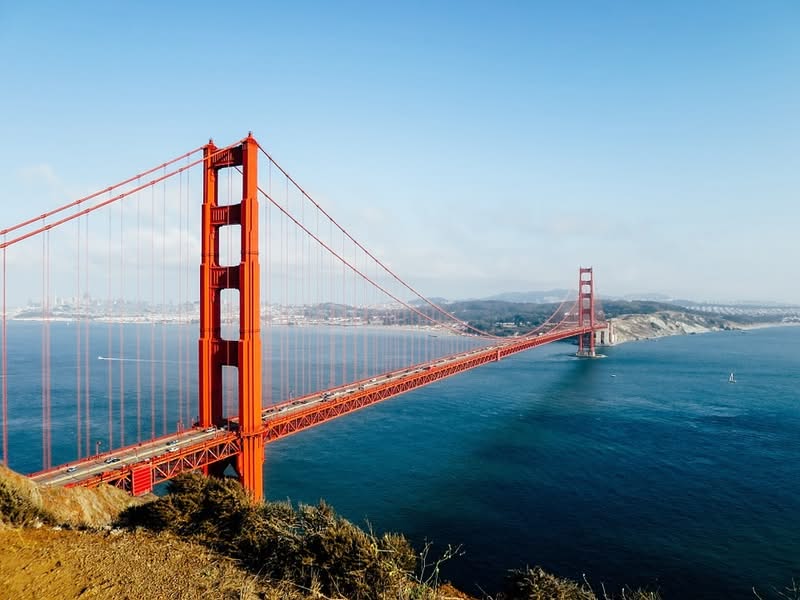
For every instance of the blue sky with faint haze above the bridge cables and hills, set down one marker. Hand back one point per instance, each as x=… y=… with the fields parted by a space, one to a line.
x=477 y=147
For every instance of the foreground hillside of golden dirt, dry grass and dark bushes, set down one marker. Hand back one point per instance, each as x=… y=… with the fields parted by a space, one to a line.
x=207 y=540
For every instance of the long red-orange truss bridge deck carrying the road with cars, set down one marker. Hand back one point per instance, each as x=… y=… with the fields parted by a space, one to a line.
x=137 y=468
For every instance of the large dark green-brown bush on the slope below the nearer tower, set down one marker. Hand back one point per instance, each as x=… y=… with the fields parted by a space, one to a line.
x=310 y=546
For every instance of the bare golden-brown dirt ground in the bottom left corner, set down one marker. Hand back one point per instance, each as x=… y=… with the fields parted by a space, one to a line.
x=46 y=563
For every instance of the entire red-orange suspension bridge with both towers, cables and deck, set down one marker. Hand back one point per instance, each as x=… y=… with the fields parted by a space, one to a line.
x=116 y=316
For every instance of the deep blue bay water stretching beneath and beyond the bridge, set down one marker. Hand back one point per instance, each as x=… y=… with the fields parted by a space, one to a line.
x=644 y=468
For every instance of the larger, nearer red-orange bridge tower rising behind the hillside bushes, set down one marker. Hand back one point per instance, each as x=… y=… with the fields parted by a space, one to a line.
x=244 y=353
